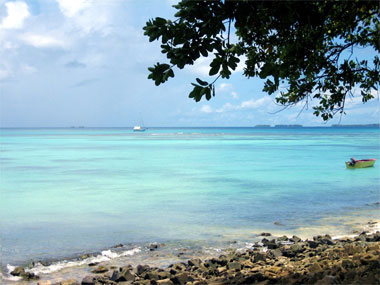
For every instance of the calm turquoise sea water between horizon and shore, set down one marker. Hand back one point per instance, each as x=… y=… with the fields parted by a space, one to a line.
x=66 y=191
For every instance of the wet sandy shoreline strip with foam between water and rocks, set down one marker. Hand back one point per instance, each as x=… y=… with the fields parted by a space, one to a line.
x=155 y=255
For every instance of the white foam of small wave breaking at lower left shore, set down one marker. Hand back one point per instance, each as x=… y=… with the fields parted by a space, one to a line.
x=105 y=255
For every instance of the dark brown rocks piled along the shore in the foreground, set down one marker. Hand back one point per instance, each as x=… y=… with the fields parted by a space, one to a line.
x=283 y=260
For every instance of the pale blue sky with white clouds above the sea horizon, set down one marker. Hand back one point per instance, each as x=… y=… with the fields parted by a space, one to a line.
x=84 y=63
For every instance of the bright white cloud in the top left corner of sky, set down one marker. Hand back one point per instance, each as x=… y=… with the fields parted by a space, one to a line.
x=17 y=12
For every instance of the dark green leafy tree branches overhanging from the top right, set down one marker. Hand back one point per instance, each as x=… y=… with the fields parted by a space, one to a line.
x=304 y=50
